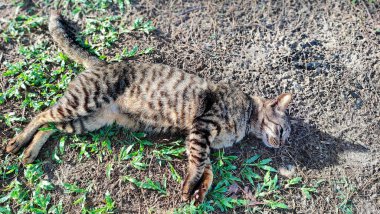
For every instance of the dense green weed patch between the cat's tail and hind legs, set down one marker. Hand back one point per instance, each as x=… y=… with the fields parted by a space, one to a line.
x=32 y=80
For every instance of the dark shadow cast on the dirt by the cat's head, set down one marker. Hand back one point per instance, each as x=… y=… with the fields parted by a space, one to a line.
x=308 y=147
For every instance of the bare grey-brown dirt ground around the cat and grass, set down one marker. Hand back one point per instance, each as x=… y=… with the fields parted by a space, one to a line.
x=326 y=54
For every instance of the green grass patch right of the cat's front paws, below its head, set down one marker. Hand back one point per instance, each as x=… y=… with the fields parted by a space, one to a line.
x=253 y=186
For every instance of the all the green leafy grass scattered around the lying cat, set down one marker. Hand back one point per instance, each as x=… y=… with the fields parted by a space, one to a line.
x=38 y=79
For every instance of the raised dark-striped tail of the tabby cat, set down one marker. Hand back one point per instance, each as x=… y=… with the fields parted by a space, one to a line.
x=65 y=39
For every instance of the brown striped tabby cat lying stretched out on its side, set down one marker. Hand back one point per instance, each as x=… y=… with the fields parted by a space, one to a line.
x=156 y=98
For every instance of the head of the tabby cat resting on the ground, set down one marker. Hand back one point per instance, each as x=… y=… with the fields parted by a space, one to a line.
x=272 y=124
